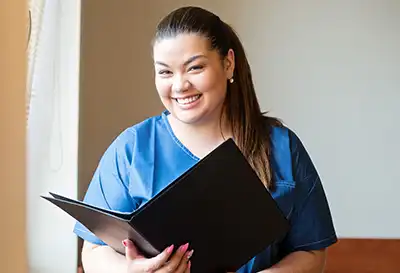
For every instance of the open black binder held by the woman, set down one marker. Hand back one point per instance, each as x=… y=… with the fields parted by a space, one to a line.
x=219 y=206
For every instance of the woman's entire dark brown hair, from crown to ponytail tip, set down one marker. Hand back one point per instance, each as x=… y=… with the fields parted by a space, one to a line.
x=251 y=128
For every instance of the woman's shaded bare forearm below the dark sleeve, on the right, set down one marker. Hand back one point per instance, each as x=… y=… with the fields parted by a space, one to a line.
x=300 y=262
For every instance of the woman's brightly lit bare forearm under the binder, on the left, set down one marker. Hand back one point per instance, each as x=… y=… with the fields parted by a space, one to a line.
x=102 y=259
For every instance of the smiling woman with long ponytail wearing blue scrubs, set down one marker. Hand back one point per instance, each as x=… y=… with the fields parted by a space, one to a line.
x=205 y=83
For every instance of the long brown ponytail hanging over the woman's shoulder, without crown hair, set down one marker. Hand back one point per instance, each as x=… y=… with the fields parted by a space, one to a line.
x=251 y=129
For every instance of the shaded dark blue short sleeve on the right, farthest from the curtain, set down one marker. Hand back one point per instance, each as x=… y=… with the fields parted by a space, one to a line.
x=311 y=221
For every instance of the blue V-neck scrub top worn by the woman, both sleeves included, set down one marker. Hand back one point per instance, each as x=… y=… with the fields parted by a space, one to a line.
x=146 y=157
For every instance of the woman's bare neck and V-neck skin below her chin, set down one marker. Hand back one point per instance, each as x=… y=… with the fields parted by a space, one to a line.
x=201 y=138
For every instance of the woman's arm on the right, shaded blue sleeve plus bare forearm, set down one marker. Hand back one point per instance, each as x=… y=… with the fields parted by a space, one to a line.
x=312 y=229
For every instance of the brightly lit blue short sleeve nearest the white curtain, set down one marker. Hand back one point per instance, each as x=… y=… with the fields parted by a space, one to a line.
x=109 y=187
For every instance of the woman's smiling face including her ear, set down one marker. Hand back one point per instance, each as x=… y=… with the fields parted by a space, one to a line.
x=190 y=78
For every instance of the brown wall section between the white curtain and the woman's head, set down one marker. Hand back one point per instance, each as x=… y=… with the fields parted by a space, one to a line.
x=116 y=88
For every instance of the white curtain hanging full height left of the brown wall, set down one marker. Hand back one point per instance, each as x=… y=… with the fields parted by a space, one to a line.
x=52 y=116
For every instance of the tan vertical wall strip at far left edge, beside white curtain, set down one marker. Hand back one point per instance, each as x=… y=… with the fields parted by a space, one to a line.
x=12 y=139
